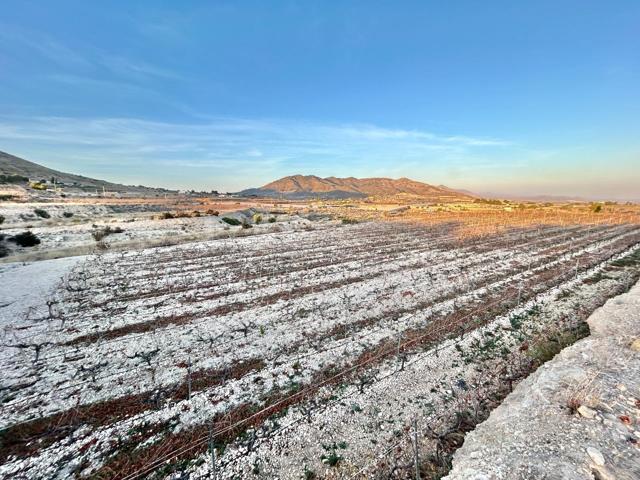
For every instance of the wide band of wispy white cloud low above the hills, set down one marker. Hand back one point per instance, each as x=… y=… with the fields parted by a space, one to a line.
x=237 y=152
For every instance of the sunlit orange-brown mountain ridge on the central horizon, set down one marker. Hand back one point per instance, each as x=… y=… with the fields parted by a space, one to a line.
x=311 y=186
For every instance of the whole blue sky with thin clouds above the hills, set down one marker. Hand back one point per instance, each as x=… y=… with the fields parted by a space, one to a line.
x=500 y=96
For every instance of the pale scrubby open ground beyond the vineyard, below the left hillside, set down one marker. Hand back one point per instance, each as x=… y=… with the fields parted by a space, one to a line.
x=72 y=227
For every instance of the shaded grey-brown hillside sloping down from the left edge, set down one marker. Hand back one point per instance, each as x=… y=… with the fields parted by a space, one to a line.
x=12 y=165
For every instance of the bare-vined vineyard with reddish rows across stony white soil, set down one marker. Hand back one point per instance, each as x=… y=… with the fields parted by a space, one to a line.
x=339 y=351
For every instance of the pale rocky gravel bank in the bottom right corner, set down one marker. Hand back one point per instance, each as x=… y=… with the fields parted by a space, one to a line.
x=576 y=418
